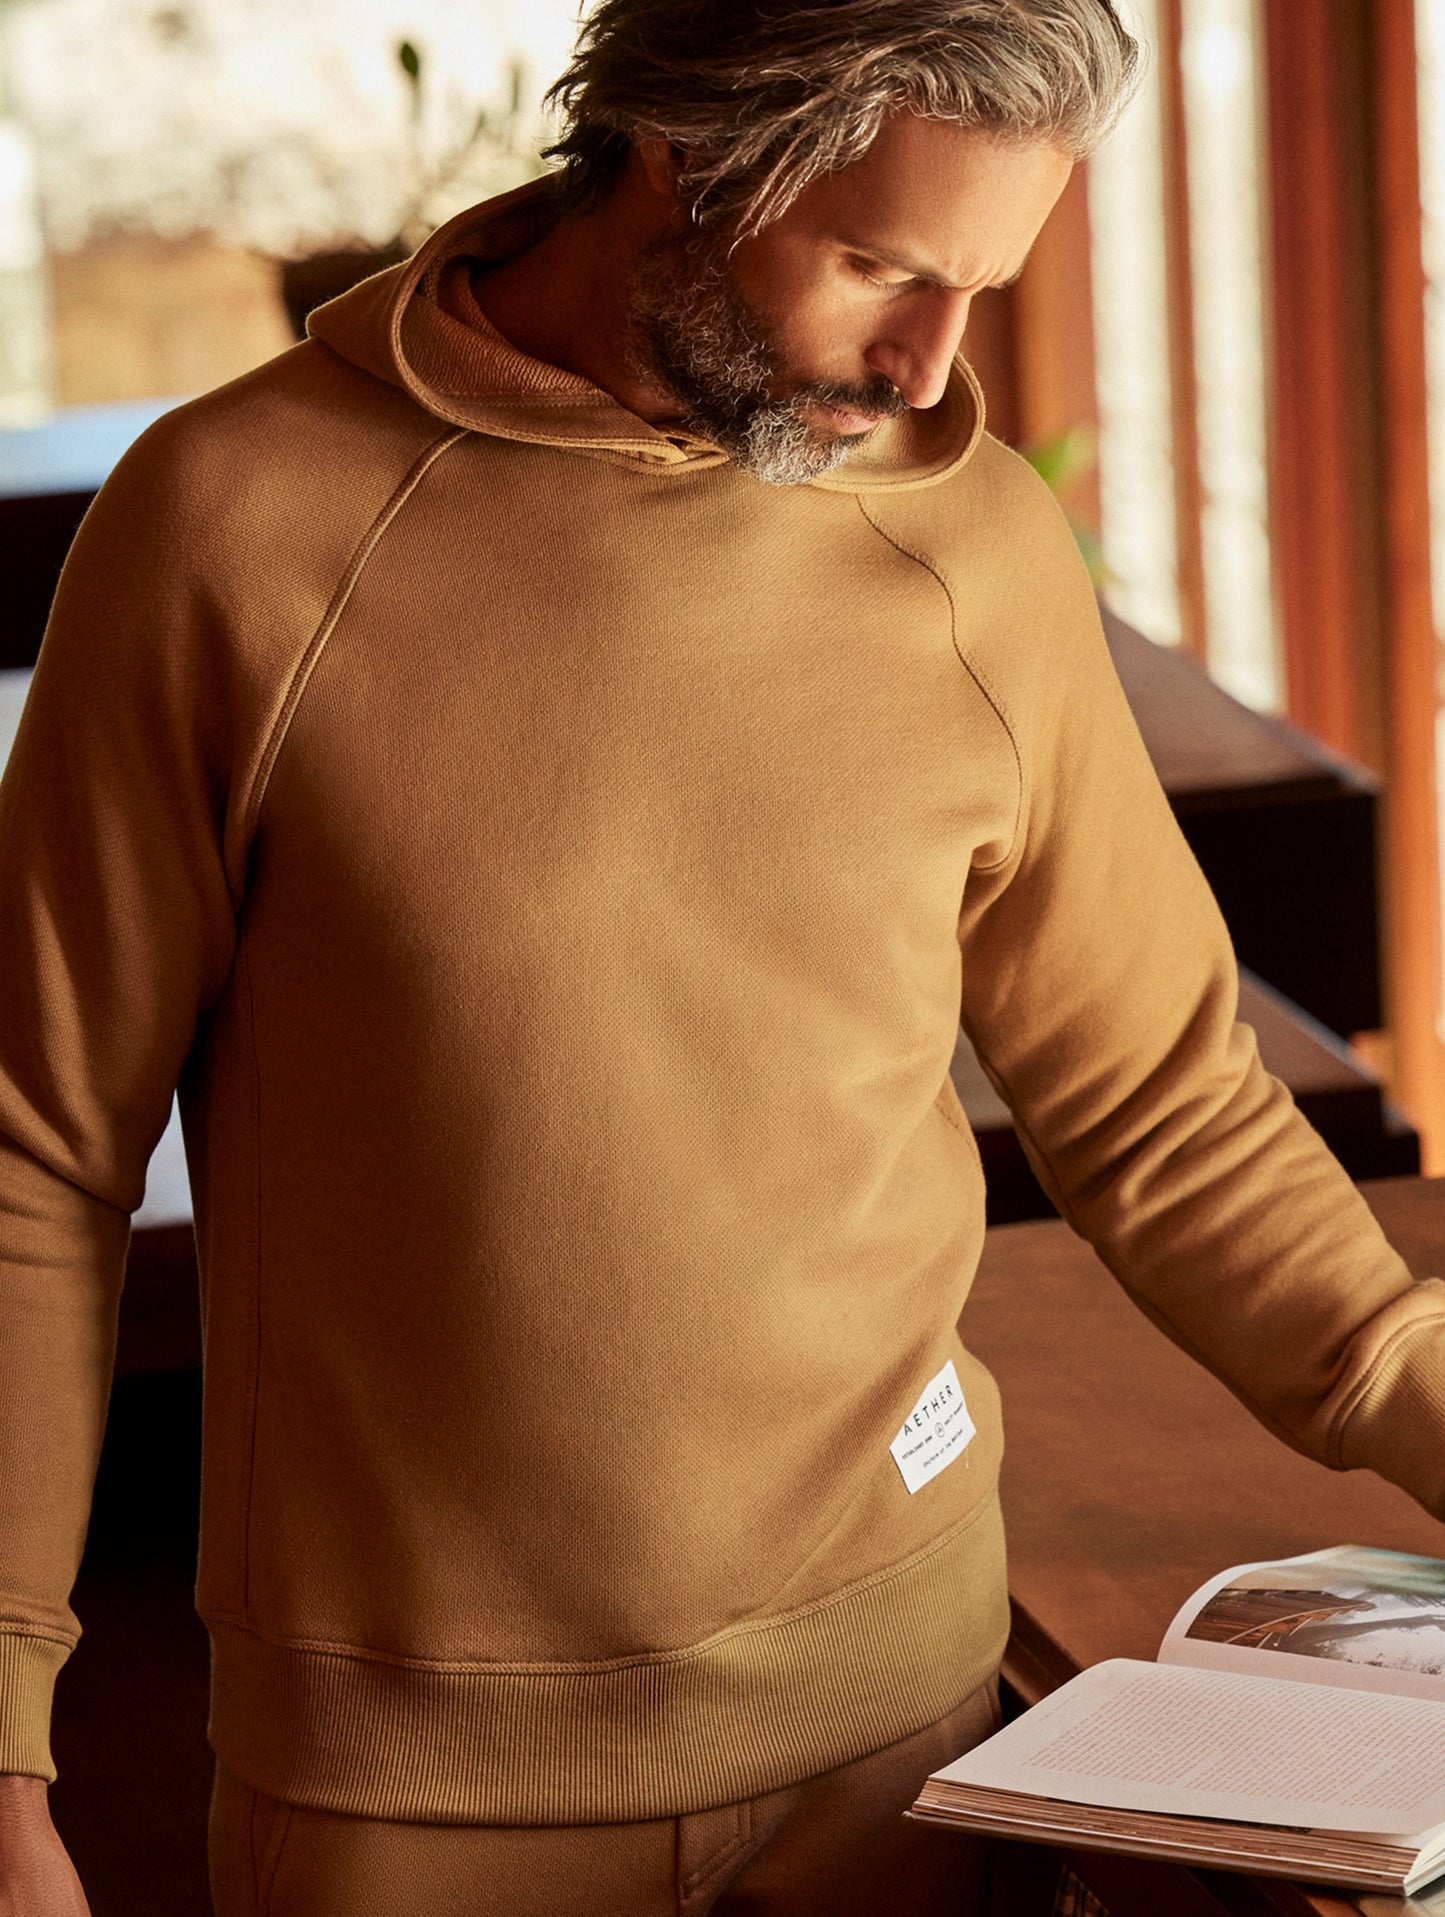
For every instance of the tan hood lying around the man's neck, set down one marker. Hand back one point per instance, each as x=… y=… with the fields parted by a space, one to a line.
x=421 y=329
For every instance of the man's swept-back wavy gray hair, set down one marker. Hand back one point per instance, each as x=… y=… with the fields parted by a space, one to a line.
x=764 y=97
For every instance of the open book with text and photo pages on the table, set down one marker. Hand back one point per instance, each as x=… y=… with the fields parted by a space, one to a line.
x=1295 y=1726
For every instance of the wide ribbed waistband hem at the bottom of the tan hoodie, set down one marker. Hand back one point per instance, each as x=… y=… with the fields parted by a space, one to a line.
x=750 y=1711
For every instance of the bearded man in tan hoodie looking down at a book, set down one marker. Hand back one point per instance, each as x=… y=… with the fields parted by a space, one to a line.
x=545 y=766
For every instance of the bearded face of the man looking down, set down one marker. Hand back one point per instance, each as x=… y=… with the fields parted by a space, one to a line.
x=792 y=346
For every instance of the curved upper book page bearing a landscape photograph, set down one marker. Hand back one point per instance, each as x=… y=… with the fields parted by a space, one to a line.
x=1348 y=1617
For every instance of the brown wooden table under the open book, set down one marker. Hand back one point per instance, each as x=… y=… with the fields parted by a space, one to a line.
x=1132 y=1477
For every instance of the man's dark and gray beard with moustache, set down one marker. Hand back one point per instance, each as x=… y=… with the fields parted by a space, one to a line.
x=697 y=335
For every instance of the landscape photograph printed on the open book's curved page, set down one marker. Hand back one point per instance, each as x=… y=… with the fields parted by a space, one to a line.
x=1375 y=1609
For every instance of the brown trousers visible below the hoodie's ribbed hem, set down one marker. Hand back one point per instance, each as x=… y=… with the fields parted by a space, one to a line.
x=833 y=1847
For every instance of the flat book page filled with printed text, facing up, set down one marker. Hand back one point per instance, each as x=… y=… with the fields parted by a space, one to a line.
x=1218 y=1745
